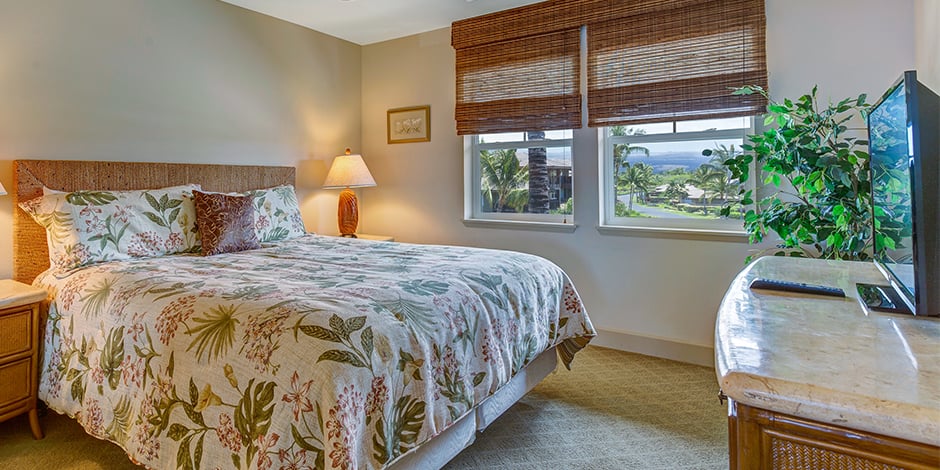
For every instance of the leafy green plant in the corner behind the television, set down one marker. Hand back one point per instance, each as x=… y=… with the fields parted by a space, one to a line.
x=818 y=175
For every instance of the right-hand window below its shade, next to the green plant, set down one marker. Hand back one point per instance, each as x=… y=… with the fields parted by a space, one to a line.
x=670 y=174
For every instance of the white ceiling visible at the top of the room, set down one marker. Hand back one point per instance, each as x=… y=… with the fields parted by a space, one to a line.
x=368 y=21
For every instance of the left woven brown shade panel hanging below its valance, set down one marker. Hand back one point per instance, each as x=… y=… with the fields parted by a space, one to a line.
x=530 y=83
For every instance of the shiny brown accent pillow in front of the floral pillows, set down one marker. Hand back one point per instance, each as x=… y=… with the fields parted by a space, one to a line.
x=226 y=223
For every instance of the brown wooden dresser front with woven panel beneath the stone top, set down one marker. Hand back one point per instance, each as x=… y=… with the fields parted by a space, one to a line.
x=762 y=439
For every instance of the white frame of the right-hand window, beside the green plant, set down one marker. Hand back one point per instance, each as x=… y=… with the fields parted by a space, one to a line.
x=610 y=223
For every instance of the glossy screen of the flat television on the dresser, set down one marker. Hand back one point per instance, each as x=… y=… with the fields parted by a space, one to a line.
x=891 y=152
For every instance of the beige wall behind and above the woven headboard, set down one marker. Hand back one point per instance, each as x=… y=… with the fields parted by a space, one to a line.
x=173 y=81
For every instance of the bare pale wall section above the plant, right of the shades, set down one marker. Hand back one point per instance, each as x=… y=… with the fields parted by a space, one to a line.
x=847 y=47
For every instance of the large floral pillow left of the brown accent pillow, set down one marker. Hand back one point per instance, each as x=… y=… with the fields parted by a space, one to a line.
x=85 y=227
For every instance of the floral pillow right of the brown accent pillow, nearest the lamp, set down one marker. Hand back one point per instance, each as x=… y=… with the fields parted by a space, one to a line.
x=277 y=214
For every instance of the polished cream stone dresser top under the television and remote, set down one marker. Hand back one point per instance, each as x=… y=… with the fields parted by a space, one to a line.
x=825 y=358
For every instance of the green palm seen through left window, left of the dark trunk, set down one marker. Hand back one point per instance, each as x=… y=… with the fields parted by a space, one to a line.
x=502 y=175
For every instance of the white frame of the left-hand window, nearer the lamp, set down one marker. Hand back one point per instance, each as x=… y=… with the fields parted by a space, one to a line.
x=473 y=194
